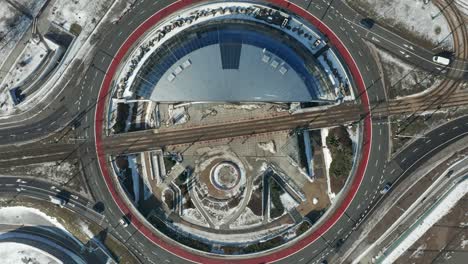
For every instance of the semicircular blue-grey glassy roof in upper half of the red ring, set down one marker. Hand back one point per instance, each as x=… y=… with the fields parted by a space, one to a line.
x=232 y=63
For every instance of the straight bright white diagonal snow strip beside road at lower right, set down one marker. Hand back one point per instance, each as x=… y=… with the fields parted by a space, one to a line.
x=421 y=227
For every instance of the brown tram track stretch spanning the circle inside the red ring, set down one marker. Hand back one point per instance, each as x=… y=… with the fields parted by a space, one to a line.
x=131 y=142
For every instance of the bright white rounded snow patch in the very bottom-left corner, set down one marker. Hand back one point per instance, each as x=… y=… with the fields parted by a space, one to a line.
x=13 y=253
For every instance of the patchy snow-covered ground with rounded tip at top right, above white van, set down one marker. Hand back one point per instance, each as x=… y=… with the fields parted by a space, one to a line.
x=422 y=20
